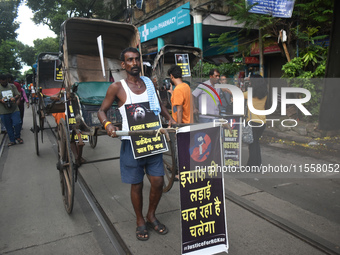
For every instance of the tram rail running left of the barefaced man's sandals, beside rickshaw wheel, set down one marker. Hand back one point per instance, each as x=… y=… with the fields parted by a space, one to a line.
x=111 y=232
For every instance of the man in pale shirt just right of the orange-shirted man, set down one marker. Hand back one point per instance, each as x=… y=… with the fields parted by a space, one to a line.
x=209 y=111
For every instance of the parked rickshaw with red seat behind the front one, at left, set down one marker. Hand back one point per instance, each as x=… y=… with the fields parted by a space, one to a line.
x=46 y=92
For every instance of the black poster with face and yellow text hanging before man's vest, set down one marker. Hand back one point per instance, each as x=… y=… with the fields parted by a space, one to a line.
x=140 y=117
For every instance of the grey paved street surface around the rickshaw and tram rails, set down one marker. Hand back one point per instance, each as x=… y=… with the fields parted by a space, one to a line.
x=33 y=220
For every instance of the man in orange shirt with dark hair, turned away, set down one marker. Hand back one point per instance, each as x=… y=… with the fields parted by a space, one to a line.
x=181 y=96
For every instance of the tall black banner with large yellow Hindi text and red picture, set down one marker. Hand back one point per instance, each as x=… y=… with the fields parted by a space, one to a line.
x=203 y=218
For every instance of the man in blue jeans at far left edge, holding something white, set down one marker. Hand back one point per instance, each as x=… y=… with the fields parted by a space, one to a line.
x=9 y=110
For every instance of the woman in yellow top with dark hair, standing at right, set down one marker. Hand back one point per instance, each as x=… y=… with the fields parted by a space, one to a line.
x=257 y=122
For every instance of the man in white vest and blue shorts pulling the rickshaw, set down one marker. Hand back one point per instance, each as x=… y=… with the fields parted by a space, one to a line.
x=136 y=89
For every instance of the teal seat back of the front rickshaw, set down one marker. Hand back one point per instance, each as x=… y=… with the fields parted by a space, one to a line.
x=91 y=92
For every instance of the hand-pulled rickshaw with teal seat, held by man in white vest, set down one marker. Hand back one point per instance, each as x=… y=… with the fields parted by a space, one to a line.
x=90 y=54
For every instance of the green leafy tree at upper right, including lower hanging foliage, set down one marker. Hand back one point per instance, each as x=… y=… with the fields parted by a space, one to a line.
x=309 y=25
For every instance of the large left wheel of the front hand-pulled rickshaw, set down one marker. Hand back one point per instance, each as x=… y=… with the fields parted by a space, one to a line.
x=65 y=166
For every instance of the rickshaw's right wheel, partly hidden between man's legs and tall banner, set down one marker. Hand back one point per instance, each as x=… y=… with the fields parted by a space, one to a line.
x=170 y=165
